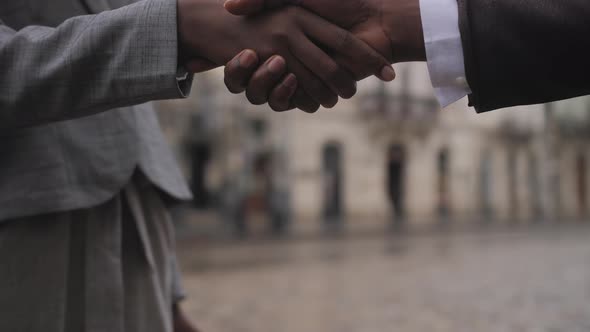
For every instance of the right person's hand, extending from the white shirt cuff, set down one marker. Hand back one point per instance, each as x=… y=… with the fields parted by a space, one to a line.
x=393 y=27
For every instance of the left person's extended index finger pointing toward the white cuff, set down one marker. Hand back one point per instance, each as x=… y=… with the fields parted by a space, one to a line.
x=363 y=60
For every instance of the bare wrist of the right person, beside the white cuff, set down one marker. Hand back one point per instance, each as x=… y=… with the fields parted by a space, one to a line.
x=402 y=24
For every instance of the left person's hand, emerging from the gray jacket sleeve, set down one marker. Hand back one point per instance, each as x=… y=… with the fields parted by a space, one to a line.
x=306 y=44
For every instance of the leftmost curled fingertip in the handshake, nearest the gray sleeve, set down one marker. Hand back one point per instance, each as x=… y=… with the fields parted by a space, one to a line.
x=239 y=70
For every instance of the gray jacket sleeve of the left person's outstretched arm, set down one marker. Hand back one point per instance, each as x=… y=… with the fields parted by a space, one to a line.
x=89 y=64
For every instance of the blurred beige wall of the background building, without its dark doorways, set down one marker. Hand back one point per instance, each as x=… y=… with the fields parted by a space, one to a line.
x=506 y=149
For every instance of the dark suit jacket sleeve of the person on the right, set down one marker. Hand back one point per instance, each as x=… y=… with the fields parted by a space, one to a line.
x=520 y=52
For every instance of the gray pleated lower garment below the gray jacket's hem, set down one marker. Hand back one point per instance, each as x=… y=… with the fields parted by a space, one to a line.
x=108 y=268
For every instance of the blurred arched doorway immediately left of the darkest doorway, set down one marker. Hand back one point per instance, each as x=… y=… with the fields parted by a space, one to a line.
x=332 y=184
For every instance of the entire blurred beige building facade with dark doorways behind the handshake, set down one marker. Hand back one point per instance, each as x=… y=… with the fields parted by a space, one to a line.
x=387 y=155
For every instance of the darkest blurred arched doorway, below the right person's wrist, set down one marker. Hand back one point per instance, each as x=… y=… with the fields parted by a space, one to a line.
x=396 y=160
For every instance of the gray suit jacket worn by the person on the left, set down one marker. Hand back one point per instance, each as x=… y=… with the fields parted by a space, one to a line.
x=72 y=126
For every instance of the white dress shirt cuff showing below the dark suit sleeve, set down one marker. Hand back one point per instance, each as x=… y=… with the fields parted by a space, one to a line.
x=444 y=51
